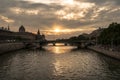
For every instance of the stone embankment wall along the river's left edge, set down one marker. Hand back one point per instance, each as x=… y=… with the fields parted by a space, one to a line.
x=7 y=47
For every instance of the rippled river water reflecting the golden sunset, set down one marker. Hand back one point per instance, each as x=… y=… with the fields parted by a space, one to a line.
x=58 y=63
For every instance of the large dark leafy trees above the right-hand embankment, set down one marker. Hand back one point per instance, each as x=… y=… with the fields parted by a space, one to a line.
x=110 y=35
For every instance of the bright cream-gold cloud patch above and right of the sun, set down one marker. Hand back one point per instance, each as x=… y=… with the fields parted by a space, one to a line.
x=74 y=12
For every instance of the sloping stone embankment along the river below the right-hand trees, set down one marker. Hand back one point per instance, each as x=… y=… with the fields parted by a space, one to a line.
x=113 y=54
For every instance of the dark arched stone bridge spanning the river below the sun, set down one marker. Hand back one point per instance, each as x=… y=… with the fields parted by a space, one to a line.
x=79 y=44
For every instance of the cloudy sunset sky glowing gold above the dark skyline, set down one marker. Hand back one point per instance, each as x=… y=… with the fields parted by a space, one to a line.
x=59 y=18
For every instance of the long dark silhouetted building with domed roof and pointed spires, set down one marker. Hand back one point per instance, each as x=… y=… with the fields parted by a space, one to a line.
x=7 y=35
